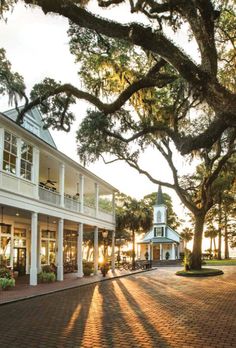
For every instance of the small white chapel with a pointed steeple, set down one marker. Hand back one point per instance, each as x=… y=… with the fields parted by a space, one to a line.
x=161 y=242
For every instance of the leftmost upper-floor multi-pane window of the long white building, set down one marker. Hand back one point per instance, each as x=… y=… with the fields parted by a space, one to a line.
x=10 y=153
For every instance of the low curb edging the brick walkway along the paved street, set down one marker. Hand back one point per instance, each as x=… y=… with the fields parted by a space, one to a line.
x=74 y=287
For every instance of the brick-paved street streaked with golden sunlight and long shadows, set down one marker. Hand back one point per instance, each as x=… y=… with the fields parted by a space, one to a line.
x=153 y=309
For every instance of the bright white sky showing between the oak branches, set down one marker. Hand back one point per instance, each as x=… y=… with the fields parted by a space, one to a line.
x=37 y=46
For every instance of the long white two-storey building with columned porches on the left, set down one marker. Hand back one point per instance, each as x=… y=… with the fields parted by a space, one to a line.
x=47 y=201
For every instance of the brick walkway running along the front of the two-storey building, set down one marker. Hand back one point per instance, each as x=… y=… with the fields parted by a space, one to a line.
x=23 y=290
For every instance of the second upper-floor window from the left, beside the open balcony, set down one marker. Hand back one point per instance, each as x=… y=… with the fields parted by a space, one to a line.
x=26 y=161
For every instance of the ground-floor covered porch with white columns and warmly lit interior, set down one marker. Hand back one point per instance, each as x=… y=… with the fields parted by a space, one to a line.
x=31 y=240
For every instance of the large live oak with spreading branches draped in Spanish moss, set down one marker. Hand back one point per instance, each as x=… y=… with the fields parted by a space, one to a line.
x=145 y=90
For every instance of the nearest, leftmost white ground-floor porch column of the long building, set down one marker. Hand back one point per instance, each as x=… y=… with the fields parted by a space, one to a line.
x=33 y=263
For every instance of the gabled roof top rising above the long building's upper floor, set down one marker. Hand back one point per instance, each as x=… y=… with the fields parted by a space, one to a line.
x=33 y=123
